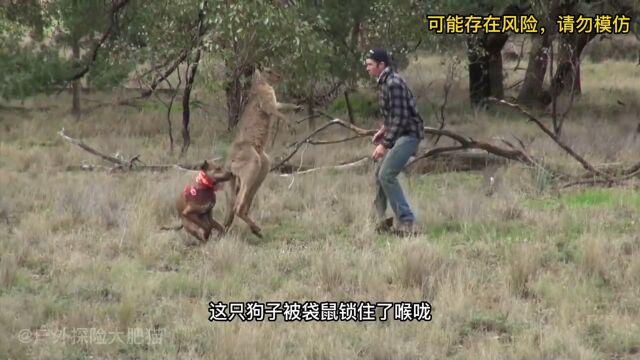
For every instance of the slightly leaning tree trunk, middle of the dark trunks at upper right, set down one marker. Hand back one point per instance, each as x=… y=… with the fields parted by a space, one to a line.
x=532 y=92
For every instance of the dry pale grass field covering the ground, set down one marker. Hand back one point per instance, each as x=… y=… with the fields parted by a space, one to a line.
x=525 y=273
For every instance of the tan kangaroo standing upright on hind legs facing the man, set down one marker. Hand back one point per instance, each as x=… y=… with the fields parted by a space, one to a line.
x=248 y=160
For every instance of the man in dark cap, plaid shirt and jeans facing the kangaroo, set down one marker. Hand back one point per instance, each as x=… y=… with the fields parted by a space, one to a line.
x=396 y=141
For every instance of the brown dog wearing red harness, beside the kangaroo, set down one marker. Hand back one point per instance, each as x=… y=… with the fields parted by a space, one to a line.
x=196 y=202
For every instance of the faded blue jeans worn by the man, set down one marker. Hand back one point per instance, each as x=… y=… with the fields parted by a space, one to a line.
x=388 y=187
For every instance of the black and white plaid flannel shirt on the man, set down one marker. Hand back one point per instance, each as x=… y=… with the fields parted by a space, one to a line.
x=398 y=107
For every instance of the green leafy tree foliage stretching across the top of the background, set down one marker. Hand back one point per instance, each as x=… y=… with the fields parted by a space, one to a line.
x=312 y=41
